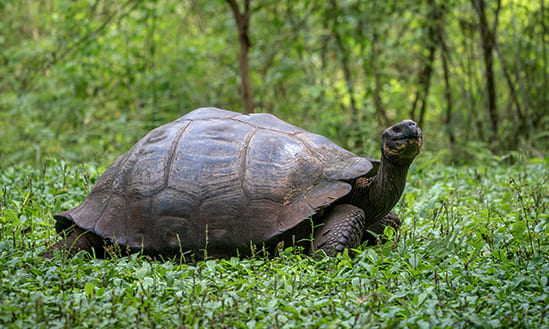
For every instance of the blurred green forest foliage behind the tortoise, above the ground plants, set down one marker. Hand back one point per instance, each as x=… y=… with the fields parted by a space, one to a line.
x=85 y=79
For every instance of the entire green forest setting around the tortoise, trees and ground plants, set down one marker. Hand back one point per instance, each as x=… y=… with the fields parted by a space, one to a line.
x=82 y=80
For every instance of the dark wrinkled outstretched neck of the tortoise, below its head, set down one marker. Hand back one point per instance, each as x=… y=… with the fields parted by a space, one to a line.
x=379 y=194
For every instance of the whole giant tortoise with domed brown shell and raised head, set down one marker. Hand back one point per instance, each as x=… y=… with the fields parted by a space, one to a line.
x=220 y=183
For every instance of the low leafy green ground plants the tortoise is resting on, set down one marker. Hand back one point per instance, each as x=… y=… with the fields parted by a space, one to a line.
x=473 y=253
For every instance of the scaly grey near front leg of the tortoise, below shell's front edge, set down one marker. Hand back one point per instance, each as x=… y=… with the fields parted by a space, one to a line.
x=343 y=229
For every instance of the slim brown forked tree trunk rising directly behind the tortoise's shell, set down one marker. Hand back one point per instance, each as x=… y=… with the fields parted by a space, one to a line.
x=243 y=23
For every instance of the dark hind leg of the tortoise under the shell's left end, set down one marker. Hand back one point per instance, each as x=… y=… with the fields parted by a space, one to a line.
x=77 y=239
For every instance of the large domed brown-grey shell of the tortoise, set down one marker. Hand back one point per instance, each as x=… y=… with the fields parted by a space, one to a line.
x=216 y=176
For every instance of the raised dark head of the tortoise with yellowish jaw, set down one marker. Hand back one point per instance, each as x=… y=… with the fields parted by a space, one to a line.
x=402 y=142
